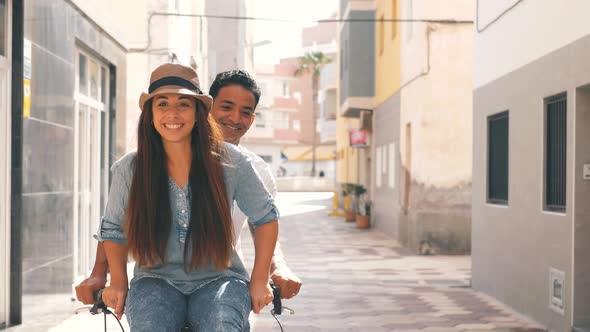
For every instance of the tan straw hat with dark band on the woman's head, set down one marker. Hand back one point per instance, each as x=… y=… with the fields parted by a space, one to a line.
x=175 y=78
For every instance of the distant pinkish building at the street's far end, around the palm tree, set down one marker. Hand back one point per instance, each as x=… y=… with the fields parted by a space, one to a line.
x=284 y=126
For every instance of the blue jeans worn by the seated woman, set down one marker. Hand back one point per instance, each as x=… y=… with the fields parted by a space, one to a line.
x=222 y=305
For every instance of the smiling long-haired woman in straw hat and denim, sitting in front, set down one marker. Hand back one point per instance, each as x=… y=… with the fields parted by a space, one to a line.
x=169 y=208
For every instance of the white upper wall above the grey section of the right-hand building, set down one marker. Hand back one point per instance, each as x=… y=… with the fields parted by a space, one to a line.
x=535 y=28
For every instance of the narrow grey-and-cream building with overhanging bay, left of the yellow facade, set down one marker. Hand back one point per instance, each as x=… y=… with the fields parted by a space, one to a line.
x=356 y=89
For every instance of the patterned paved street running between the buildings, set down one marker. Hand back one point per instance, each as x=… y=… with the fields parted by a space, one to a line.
x=357 y=280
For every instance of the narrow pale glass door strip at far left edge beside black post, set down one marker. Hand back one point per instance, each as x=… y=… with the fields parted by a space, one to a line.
x=5 y=116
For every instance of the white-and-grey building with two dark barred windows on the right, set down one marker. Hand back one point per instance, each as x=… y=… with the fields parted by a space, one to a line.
x=531 y=160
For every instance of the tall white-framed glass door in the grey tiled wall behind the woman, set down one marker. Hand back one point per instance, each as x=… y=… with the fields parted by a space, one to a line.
x=91 y=159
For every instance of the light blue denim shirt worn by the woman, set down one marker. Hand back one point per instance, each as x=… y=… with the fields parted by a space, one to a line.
x=243 y=185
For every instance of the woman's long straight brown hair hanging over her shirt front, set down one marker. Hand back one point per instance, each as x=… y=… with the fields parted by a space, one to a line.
x=148 y=215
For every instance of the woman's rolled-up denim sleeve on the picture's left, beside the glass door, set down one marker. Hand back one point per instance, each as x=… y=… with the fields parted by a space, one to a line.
x=111 y=224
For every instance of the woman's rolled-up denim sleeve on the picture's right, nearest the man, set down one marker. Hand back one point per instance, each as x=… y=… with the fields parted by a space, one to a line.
x=252 y=196
